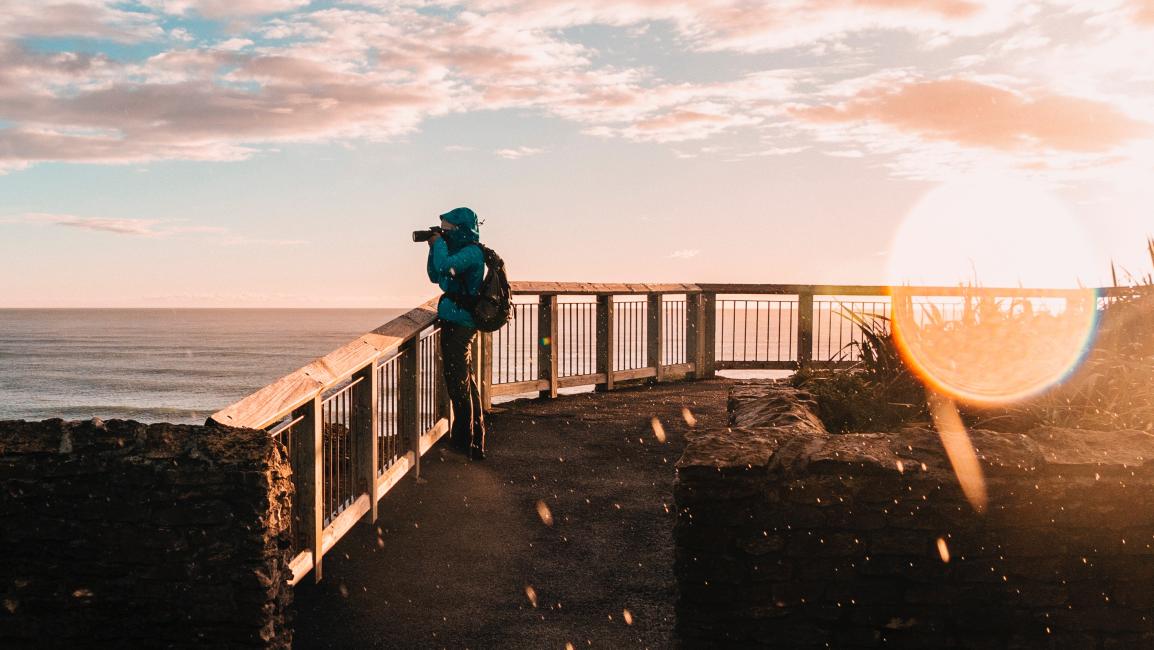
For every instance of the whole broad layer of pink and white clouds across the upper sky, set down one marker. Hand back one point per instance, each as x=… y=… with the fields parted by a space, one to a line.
x=355 y=71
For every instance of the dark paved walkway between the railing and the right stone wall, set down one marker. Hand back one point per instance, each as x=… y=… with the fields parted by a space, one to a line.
x=449 y=562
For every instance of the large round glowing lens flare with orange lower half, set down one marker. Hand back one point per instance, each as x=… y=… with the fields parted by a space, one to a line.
x=981 y=346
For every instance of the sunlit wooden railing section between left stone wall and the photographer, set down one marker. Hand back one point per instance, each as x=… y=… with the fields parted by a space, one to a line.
x=355 y=422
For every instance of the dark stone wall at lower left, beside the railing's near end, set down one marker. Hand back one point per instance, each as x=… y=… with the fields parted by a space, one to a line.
x=130 y=535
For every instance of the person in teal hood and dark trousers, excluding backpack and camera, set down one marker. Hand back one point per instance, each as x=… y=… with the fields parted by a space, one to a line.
x=459 y=267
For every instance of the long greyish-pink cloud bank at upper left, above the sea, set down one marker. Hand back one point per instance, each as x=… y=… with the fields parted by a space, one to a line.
x=185 y=110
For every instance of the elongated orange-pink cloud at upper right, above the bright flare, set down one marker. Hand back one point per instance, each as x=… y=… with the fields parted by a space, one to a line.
x=977 y=115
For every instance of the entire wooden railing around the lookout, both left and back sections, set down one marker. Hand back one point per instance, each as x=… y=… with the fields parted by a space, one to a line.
x=358 y=420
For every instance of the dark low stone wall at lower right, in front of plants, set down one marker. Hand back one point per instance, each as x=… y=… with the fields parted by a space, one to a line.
x=790 y=539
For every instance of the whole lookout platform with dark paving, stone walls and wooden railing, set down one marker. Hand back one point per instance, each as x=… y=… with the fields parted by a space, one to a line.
x=633 y=498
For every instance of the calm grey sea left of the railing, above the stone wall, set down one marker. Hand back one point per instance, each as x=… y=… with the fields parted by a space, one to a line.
x=159 y=365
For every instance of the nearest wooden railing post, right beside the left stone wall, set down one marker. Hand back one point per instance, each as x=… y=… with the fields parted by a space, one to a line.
x=310 y=449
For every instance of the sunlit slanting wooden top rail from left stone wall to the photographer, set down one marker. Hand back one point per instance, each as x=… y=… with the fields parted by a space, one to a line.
x=275 y=401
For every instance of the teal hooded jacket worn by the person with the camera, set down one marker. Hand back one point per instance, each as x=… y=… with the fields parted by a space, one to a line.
x=456 y=267
